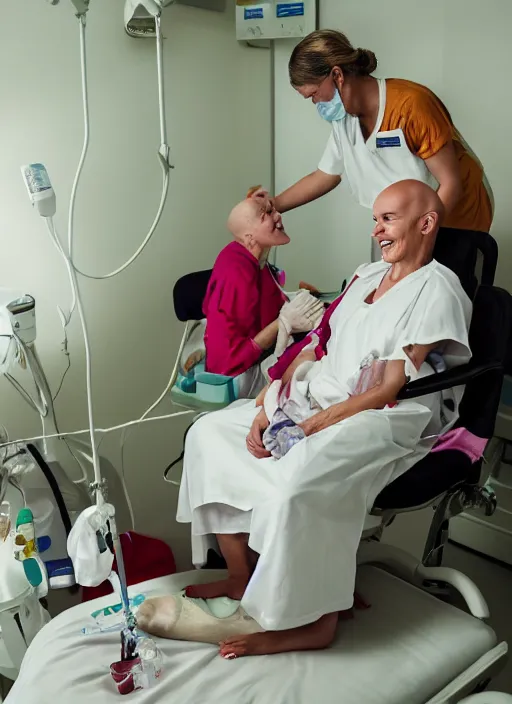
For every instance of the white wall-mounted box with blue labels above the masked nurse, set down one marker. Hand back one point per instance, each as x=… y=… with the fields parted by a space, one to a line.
x=275 y=19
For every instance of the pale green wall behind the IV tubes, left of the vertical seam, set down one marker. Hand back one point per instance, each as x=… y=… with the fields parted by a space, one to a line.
x=212 y=109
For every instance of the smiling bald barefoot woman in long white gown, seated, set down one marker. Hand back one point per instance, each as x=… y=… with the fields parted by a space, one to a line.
x=289 y=528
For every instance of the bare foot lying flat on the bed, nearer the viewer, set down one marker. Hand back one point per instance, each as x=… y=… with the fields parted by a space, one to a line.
x=314 y=636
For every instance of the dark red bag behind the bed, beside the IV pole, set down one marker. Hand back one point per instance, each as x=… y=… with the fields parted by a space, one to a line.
x=144 y=558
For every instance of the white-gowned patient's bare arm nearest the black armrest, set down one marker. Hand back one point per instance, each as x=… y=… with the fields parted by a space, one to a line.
x=385 y=393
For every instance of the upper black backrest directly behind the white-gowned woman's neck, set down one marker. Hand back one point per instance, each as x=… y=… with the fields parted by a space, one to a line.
x=458 y=250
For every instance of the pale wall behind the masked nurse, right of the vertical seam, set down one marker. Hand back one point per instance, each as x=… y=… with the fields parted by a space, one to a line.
x=460 y=49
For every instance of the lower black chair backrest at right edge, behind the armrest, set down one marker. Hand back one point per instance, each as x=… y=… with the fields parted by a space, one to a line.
x=489 y=339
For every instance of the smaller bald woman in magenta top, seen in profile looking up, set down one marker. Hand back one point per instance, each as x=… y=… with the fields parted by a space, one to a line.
x=243 y=301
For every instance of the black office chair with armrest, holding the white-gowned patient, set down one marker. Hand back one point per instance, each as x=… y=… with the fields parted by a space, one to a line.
x=447 y=478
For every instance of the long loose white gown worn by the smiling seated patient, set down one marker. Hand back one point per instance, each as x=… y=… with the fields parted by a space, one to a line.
x=305 y=512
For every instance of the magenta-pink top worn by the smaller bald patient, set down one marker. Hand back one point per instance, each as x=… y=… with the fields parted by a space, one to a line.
x=241 y=299
